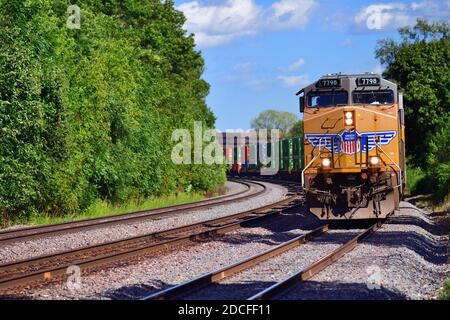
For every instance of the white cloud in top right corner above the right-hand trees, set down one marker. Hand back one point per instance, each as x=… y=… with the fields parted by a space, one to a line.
x=394 y=15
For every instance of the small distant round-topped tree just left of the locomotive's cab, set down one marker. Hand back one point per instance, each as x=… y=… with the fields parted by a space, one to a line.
x=286 y=122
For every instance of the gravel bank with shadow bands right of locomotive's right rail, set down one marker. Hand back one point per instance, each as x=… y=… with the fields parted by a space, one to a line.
x=406 y=259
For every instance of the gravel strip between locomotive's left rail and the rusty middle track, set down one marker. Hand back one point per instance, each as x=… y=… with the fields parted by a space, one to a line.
x=150 y=274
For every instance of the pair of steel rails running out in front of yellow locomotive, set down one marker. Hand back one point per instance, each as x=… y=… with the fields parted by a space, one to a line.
x=183 y=290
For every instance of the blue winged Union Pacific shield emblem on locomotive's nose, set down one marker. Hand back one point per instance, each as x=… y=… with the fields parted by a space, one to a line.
x=350 y=142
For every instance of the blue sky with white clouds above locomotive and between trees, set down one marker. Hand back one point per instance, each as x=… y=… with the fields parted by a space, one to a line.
x=259 y=53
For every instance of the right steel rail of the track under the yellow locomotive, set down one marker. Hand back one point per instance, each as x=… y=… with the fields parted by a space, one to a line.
x=314 y=268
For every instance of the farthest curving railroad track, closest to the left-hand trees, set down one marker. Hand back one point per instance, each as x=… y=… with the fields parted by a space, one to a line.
x=7 y=237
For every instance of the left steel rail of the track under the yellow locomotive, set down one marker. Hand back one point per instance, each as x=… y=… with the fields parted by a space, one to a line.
x=218 y=275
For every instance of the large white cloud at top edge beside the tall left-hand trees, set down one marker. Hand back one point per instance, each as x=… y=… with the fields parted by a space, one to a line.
x=223 y=22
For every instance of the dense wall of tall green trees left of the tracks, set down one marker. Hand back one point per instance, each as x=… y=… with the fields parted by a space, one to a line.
x=88 y=114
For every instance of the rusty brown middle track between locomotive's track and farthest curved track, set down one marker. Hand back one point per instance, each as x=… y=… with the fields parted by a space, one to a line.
x=54 y=267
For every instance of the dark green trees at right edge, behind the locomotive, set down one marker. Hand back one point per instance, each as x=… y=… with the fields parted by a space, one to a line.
x=420 y=65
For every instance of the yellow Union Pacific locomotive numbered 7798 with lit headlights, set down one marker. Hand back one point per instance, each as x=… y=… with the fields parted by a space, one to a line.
x=354 y=146
